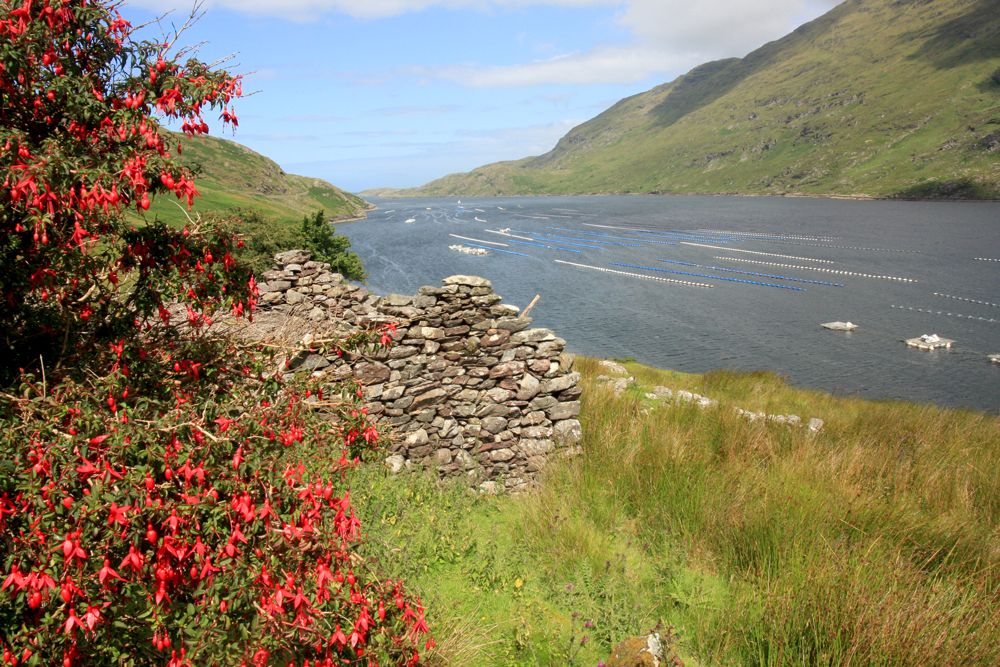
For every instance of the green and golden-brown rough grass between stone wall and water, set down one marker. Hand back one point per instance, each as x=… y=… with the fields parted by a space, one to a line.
x=873 y=542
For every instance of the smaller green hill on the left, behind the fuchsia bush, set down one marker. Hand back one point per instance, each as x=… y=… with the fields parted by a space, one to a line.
x=229 y=175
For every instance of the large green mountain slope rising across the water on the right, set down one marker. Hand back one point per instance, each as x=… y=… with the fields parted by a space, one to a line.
x=876 y=98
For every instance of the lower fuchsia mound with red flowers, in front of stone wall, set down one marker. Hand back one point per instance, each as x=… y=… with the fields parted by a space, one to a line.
x=188 y=508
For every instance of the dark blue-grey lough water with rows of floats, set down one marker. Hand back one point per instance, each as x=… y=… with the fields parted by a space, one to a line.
x=733 y=325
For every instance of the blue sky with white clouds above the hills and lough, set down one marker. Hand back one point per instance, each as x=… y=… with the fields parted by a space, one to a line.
x=396 y=93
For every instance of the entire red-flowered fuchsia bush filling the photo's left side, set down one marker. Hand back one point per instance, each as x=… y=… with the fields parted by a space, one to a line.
x=165 y=496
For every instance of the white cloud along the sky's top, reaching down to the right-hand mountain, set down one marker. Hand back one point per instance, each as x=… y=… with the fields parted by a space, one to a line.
x=668 y=36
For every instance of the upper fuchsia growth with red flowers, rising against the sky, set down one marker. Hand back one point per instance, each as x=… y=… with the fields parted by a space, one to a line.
x=78 y=147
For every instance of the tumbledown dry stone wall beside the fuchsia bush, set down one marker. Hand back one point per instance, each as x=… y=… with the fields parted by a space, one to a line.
x=469 y=388
